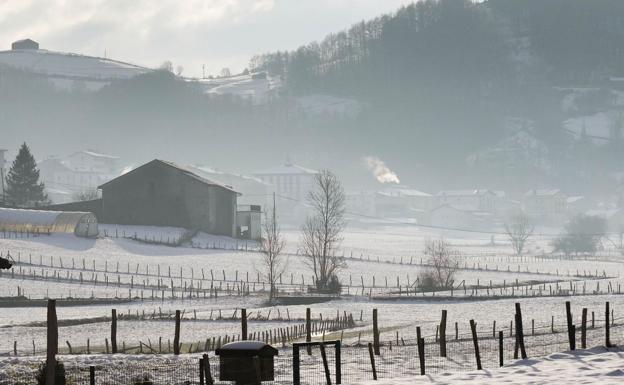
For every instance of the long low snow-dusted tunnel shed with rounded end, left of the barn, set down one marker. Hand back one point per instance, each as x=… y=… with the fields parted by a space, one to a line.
x=82 y=224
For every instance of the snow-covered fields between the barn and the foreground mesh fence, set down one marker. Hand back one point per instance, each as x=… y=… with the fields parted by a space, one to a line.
x=132 y=268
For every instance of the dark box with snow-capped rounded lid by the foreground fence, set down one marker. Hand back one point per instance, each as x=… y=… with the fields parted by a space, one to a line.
x=246 y=362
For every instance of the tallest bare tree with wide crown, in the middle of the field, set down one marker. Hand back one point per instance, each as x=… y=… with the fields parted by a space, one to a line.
x=322 y=231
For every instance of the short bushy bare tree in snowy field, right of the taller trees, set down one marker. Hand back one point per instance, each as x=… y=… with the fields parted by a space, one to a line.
x=442 y=263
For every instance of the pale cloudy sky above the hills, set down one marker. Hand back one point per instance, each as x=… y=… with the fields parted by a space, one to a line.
x=217 y=33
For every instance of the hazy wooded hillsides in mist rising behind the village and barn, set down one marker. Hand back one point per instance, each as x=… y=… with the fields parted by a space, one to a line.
x=503 y=94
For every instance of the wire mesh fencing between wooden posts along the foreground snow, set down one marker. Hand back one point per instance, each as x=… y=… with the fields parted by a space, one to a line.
x=394 y=360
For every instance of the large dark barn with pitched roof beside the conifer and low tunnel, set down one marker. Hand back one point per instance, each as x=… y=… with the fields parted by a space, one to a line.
x=161 y=193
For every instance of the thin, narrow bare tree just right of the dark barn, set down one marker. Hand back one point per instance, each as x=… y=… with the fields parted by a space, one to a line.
x=272 y=246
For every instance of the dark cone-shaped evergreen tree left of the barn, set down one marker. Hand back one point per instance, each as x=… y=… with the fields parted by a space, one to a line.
x=23 y=186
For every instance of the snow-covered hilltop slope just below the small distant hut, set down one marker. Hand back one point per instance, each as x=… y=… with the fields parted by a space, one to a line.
x=69 y=65
